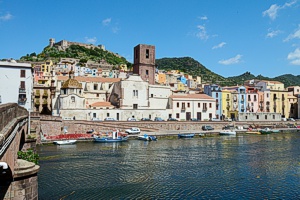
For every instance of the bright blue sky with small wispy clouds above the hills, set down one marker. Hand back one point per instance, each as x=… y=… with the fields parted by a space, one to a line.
x=228 y=37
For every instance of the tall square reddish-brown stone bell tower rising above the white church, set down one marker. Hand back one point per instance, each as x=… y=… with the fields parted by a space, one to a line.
x=144 y=62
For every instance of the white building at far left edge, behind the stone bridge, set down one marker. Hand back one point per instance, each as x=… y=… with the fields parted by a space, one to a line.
x=16 y=83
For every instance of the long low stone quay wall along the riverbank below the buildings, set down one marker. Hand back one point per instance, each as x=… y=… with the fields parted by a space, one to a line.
x=53 y=126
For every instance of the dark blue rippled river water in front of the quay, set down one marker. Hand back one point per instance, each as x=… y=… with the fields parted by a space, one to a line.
x=220 y=167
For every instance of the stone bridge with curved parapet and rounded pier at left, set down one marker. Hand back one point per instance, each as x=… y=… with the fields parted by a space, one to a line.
x=18 y=178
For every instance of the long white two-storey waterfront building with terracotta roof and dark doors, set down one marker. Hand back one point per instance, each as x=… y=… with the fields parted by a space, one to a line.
x=187 y=106
